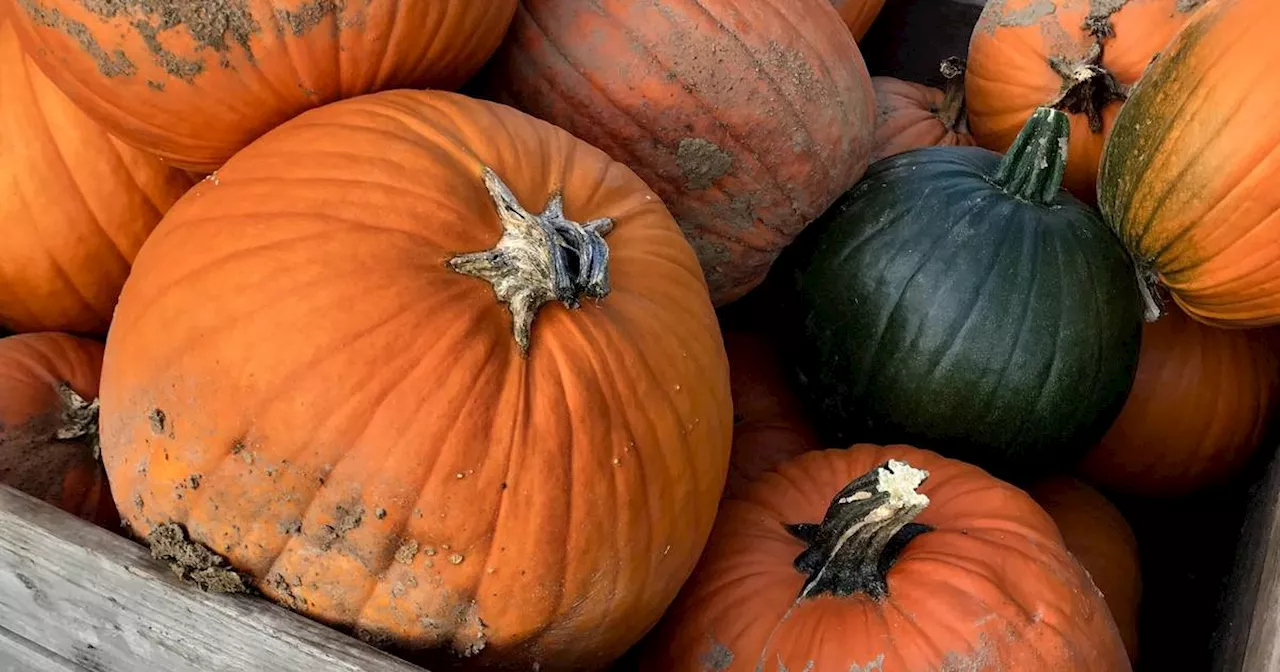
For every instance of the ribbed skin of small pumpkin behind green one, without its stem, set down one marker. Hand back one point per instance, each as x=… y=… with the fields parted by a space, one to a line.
x=908 y=118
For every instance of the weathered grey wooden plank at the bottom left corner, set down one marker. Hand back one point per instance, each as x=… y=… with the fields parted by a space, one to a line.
x=77 y=597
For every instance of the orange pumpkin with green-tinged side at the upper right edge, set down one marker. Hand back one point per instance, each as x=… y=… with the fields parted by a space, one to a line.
x=1187 y=179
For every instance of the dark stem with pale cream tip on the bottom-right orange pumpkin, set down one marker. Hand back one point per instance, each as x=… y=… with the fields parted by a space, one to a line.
x=867 y=525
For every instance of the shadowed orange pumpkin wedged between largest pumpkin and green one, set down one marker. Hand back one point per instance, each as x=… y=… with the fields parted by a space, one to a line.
x=770 y=427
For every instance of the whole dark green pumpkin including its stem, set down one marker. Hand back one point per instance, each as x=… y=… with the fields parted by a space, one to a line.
x=966 y=303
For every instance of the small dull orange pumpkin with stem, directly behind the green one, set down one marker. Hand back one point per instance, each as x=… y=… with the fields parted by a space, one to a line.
x=911 y=116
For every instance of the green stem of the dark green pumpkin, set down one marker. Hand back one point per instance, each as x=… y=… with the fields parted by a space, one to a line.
x=1034 y=167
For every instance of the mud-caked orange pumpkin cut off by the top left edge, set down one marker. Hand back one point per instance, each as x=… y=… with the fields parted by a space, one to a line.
x=196 y=81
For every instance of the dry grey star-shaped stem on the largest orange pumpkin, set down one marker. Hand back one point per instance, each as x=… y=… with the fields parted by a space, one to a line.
x=540 y=258
